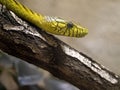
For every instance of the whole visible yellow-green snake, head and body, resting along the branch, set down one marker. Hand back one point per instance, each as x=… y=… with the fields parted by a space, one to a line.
x=52 y=25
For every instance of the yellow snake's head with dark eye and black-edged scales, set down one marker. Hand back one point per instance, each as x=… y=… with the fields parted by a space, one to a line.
x=59 y=26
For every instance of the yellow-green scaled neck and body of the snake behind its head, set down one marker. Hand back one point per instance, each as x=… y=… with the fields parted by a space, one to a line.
x=23 y=12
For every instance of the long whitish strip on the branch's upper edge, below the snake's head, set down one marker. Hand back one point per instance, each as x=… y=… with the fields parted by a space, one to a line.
x=92 y=65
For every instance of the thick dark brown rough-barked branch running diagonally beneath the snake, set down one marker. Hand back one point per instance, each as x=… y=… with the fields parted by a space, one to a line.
x=25 y=41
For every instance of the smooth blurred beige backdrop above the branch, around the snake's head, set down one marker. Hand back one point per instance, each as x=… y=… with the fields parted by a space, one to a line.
x=101 y=17
